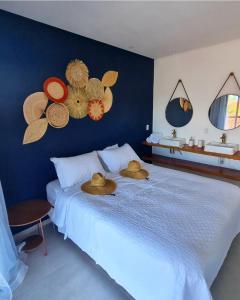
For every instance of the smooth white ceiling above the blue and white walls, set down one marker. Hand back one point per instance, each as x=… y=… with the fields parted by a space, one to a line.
x=153 y=29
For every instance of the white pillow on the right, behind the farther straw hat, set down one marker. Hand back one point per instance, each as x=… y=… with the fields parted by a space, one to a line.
x=117 y=159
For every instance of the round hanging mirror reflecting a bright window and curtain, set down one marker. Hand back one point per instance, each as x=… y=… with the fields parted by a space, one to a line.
x=224 y=113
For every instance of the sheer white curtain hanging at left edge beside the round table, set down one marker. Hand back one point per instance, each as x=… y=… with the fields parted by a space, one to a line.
x=12 y=269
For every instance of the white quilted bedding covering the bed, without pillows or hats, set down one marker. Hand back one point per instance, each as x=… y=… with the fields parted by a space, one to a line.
x=163 y=239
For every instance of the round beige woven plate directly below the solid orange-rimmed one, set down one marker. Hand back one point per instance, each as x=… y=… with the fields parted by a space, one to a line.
x=57 y=115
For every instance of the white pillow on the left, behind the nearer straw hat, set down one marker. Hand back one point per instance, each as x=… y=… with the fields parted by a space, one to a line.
x=76 y=169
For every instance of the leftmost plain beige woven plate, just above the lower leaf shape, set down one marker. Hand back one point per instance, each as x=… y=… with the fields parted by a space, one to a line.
x=34 y=106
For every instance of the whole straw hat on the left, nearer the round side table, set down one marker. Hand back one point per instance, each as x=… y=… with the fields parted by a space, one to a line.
x=99 y=185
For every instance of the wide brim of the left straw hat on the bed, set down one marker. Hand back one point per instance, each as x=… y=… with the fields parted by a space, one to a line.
x=107 y=189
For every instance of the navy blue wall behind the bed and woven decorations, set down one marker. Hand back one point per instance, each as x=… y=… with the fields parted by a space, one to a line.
x=30 y=52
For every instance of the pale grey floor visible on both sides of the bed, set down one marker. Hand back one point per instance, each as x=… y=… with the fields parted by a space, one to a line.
x=69 y=274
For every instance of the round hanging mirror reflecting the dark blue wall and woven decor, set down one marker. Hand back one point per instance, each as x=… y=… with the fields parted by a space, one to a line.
x=179 y=112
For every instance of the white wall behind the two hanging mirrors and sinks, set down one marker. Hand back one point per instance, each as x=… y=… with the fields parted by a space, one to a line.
x=203 y=72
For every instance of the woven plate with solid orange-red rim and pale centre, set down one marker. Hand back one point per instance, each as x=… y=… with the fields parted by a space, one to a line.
x=55 y=89
